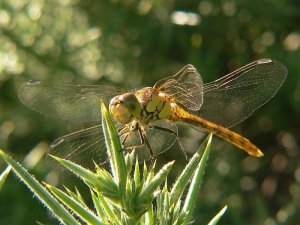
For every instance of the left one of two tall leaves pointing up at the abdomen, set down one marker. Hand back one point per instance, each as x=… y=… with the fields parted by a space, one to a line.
x=184 y=178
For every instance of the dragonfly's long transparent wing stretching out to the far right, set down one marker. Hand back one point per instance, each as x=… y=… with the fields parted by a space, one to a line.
x=234 y=97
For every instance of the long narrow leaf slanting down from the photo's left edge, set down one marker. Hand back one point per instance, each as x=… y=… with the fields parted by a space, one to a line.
x=42 y=194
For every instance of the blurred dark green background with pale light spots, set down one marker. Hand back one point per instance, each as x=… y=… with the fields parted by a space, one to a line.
x=134 y=43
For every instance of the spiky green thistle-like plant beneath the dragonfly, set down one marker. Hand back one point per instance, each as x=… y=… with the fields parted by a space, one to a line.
x=126 y=195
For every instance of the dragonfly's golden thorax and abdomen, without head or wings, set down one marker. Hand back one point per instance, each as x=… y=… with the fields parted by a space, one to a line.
x=157 y=106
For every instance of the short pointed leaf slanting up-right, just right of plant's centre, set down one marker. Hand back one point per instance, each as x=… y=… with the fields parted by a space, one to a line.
x=149 y=189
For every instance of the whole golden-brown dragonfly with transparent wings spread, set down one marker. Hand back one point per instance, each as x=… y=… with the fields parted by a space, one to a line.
x=147 y=118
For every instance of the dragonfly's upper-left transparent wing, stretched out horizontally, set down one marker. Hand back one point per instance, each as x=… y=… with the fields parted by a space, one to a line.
x=67 y=101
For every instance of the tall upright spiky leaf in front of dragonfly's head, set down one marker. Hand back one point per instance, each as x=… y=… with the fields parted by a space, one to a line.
x=114 y=149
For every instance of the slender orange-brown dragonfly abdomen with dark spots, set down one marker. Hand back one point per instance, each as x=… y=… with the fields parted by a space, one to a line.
x=222 y=132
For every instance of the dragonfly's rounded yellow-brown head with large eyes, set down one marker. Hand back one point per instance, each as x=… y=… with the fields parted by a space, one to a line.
x=124 y=108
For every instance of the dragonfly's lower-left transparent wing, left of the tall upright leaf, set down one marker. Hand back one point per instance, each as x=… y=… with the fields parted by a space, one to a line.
x=82 y=147
